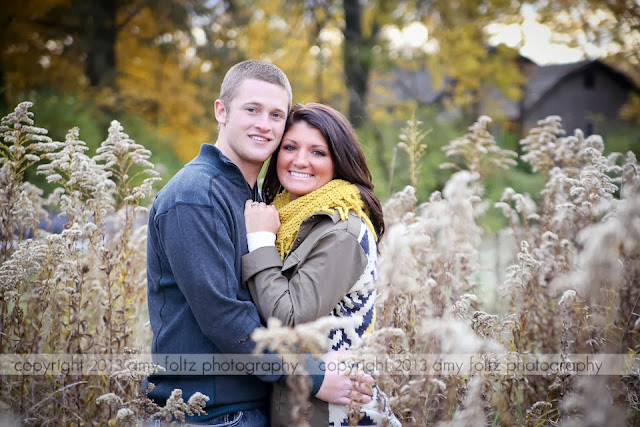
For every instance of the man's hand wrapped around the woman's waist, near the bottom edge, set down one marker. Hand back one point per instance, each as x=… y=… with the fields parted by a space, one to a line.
x=343 y=387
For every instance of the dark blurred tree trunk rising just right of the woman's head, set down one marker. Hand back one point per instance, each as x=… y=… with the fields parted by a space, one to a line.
x=356 y=65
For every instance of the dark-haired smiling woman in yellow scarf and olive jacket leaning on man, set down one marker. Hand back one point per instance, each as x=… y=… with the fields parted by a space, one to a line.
x=313 y=251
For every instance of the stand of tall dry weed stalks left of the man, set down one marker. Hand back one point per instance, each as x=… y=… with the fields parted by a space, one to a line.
x=79 y=292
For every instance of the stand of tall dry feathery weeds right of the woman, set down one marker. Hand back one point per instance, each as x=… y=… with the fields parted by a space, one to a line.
x=574 y=287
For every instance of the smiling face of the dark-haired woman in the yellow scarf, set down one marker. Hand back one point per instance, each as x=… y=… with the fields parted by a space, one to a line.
x=304 y=160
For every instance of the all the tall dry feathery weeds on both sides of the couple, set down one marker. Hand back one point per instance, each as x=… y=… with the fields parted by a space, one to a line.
x=573 y=287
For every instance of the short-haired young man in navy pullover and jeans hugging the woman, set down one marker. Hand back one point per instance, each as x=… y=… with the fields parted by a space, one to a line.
x=196 y=239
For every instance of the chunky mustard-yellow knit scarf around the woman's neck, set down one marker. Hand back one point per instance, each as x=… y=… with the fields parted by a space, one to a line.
x=337 y=195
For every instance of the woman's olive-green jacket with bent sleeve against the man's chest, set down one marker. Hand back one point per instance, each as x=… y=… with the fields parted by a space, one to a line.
x=323 y=264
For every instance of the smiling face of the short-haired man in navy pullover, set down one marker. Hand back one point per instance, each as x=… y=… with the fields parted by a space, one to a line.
x=251 y=127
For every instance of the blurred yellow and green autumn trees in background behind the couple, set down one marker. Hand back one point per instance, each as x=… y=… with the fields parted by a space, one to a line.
x=156 y=66
